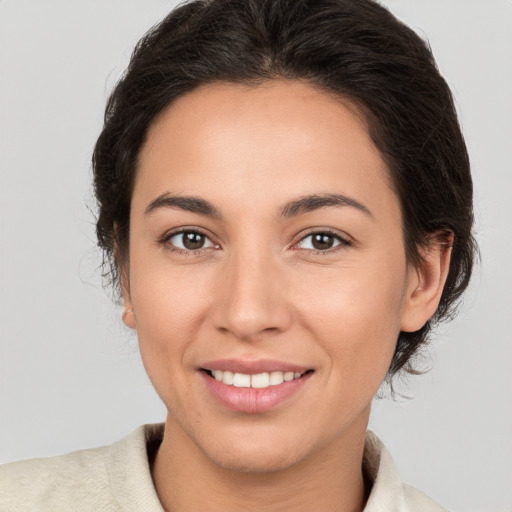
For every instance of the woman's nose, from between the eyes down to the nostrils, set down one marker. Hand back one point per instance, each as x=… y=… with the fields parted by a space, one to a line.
x=251 y=298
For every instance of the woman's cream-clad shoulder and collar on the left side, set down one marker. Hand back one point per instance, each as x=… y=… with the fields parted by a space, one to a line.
x=93 y=479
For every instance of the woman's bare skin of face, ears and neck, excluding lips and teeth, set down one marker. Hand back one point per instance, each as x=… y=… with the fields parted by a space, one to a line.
x=324 y=286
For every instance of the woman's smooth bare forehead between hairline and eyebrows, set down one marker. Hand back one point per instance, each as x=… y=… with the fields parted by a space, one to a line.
x=261 y=143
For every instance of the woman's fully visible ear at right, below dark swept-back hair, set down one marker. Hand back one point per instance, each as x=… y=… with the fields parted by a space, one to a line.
x=426 y=282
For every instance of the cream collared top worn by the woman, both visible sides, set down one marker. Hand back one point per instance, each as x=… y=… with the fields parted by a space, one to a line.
x=117 y=478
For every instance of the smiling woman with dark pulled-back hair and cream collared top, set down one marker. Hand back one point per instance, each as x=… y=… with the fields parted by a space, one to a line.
x=285 y=200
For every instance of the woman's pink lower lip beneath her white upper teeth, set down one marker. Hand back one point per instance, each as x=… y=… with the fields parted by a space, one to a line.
x=253 y=400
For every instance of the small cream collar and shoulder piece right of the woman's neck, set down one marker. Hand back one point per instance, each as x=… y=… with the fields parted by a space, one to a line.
x=388 y=491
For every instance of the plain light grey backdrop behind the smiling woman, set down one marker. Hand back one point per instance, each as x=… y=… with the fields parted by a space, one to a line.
x=70 y=373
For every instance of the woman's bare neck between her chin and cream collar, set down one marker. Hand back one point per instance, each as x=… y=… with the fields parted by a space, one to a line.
x=330 y=479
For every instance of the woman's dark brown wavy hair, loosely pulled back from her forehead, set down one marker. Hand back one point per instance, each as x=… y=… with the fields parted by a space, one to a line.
x=355 y=49
